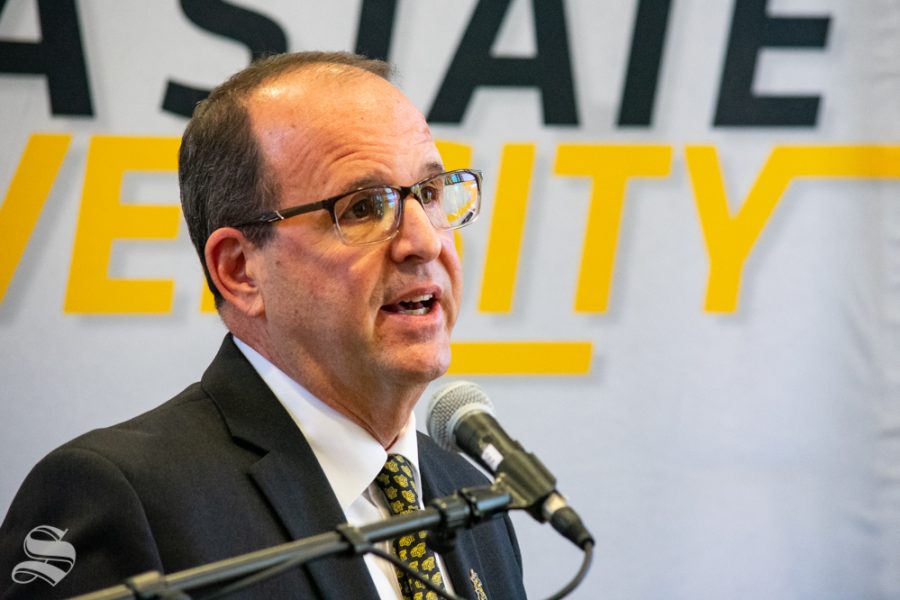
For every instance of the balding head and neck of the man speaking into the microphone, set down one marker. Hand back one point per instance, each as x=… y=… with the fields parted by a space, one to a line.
x=364 y=327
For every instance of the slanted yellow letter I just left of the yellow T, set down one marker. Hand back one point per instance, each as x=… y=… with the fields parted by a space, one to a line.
x=498 y=283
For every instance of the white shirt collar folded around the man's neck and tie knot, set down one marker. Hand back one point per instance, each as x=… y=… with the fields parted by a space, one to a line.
x=349 y=456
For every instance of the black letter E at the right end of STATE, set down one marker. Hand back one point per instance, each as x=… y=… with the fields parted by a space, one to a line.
x=751 y=30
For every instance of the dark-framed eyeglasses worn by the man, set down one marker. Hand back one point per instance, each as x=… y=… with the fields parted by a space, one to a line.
x=404 y=191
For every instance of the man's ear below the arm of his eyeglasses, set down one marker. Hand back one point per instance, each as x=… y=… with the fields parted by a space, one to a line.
x=230 y=260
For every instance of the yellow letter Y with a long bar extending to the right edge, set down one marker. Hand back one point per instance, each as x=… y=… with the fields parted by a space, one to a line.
x=730 y=239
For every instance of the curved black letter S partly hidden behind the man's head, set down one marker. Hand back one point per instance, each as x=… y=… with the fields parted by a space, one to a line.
x=259 y=33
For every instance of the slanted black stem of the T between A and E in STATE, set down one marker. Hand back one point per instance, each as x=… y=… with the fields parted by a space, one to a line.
x=647 y=43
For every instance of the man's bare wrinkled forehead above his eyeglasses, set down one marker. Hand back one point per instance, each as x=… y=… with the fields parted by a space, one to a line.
x=322 y=133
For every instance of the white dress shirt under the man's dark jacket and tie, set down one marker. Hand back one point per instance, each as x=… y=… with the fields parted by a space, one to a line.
x=350 y=458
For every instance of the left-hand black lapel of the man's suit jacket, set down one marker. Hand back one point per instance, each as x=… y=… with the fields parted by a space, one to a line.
x=287 y=474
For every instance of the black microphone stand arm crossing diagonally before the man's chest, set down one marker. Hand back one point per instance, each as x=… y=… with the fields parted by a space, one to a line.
x=464 y=509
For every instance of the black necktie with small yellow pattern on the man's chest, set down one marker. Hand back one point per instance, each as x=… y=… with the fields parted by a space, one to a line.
x=398 y=485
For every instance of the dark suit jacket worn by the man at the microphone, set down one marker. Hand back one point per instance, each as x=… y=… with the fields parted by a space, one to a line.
x=219 y=470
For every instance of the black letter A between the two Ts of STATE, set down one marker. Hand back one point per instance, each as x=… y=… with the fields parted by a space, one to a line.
x=473 y=66
